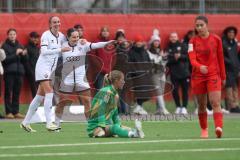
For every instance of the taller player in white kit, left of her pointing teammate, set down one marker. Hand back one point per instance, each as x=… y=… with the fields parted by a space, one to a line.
x=51 y=42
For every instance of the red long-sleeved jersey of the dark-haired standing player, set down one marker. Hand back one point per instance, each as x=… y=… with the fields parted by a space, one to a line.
x=209 y=52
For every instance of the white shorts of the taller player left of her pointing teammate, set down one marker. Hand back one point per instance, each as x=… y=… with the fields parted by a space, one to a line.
x=45 y=68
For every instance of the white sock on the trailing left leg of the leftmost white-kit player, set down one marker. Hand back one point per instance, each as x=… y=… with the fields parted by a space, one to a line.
x=37 y=100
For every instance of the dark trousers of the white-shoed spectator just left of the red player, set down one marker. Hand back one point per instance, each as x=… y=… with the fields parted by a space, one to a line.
x=184 y=84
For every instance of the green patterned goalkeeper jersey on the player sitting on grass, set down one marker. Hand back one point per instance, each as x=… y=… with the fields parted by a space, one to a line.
x=104 y=109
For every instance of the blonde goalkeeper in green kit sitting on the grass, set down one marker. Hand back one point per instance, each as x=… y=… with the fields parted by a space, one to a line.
x=104 y=119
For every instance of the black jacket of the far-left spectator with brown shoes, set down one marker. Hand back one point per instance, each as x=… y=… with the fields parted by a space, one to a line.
x=13 y=64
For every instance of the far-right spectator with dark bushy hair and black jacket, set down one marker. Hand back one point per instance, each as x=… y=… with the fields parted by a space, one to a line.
x=232 y=66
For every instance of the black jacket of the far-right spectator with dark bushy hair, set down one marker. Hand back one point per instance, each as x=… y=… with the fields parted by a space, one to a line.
x=230 y=50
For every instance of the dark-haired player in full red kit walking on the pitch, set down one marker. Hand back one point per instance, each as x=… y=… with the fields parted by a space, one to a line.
x=208 y=74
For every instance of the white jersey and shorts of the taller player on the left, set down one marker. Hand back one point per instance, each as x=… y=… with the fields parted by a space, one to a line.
x=50 y=49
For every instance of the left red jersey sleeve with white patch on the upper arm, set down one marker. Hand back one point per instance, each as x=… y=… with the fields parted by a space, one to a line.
x=192 y=54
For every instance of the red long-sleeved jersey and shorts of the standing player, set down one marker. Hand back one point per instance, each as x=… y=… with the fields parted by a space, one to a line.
x=209 y=52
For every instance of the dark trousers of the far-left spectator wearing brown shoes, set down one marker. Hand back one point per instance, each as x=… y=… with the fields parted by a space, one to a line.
x=13 y=84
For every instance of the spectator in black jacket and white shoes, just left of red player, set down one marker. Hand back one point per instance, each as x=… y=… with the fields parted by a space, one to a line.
x=179 y=72
